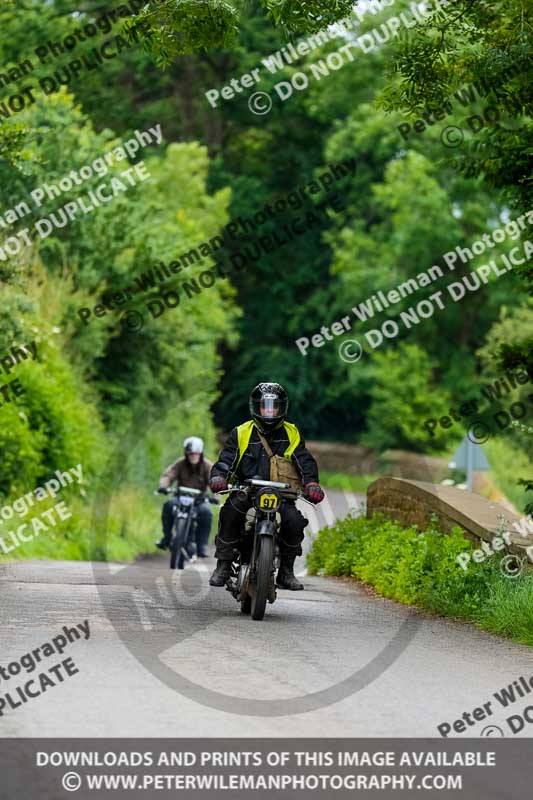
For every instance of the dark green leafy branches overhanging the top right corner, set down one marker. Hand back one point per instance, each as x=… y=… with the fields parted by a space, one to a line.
x=487 y=45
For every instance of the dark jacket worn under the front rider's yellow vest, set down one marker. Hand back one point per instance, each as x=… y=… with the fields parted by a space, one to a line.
x=255 y=461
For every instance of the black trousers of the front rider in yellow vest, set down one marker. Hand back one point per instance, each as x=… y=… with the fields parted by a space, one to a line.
x=231 y=528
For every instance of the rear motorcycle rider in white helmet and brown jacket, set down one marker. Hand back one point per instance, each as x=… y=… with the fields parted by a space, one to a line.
x=191 y=471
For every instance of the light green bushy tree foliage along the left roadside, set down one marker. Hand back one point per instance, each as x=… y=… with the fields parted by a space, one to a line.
x=90 y=379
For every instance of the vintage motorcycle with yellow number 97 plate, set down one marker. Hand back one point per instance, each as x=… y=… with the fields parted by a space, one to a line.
x=256 y=560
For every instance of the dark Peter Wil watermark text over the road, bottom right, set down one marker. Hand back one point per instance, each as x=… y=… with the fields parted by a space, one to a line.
x=506 y=696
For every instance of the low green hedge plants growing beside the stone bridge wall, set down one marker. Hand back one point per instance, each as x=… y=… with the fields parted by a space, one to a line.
x=420 y=568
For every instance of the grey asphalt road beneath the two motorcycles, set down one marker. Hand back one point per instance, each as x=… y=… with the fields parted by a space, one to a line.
x=170 y=656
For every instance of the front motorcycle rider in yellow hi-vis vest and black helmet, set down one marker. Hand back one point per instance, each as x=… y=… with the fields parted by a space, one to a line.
x=244 y=456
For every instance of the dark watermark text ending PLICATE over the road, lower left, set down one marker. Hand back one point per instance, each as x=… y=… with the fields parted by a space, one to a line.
x=37 y=685
